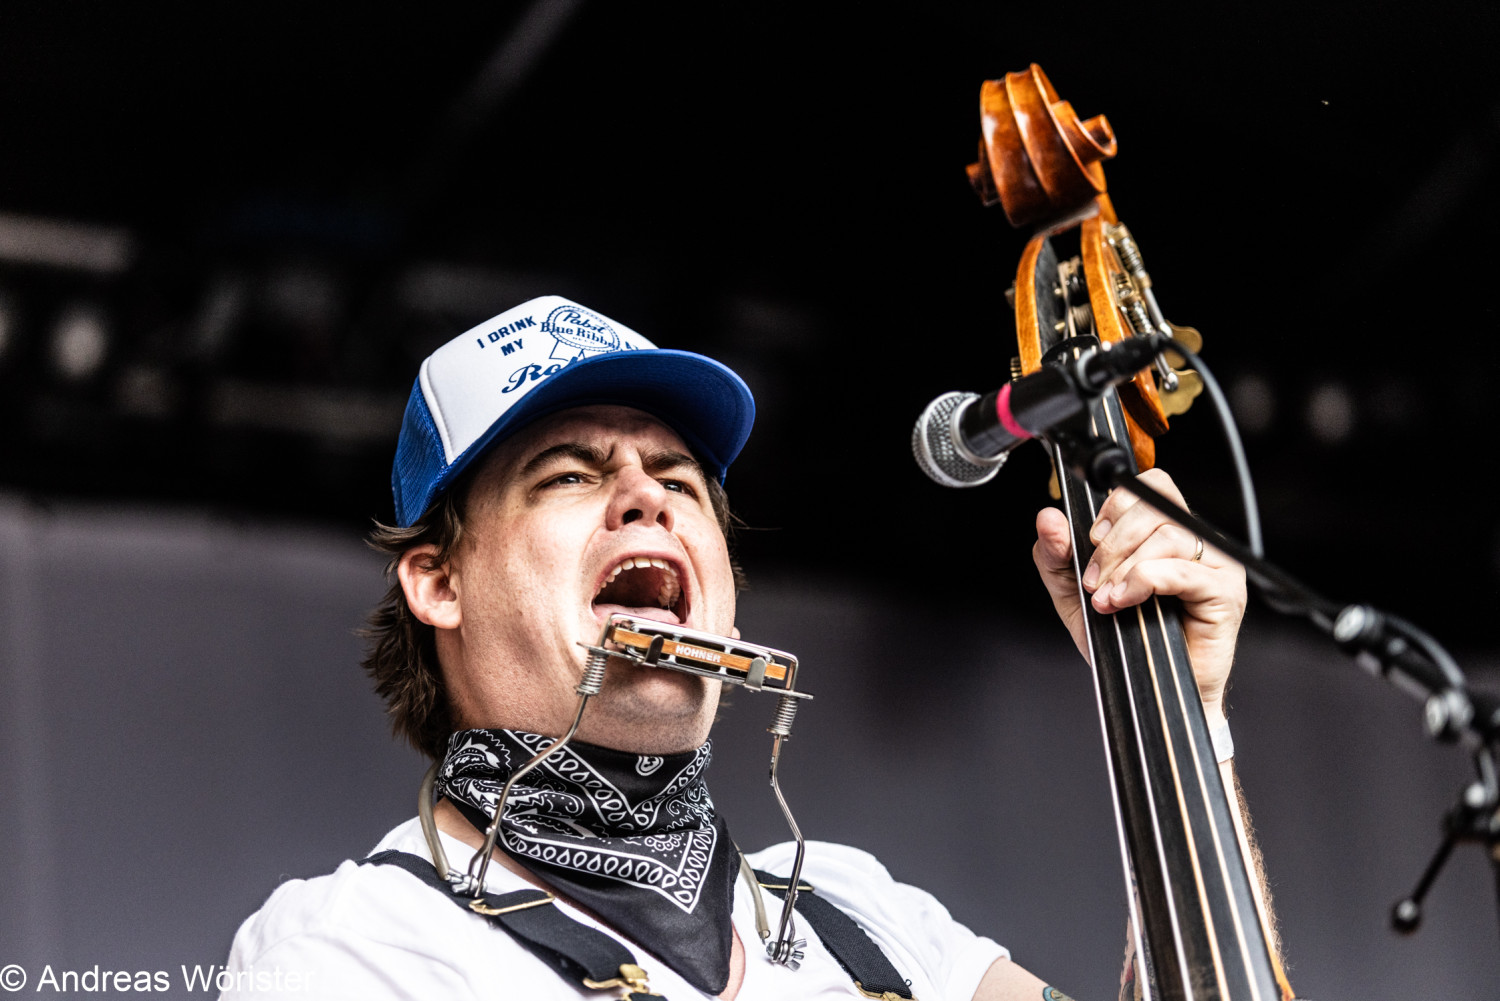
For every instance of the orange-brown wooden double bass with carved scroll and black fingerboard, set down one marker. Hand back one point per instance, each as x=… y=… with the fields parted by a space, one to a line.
x=1082 y=283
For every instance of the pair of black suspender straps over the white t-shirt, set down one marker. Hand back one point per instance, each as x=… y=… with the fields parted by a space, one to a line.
x=589 y=957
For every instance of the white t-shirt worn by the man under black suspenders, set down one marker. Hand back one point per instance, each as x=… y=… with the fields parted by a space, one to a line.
x=367 y=933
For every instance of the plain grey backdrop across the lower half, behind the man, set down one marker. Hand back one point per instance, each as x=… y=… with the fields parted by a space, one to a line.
x=185 y=726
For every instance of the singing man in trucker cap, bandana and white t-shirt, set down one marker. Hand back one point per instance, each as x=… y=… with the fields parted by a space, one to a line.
x=556 y=467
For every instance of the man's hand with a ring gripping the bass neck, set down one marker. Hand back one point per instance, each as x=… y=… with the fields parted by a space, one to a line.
x=1141 y=553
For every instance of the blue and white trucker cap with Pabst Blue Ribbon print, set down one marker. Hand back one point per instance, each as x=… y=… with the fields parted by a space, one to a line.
x=551 y=355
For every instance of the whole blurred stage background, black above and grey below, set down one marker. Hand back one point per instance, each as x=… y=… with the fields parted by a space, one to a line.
x=229 y=236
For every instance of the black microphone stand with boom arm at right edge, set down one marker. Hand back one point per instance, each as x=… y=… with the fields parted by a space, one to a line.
x=1379 y=642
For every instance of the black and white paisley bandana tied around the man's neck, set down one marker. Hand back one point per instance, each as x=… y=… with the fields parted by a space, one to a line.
x=632 y=838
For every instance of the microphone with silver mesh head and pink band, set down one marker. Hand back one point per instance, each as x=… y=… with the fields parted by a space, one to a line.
x=964 y=440
